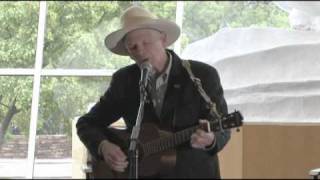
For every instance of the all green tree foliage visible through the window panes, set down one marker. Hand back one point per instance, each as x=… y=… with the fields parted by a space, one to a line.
x=74 y=38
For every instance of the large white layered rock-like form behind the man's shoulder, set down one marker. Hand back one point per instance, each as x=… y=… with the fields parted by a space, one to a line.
x=268 y=74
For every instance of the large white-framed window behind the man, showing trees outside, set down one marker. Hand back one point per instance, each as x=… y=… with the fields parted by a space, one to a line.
x=54 y=65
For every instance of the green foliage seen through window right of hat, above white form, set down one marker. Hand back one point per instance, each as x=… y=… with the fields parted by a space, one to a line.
x=203 y=19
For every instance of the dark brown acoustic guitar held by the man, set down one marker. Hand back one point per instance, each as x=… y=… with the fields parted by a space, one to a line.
x=157 y=148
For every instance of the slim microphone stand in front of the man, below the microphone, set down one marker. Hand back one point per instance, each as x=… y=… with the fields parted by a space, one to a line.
x=133 y=150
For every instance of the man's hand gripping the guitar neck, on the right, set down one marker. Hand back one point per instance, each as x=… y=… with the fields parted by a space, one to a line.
x=201 y=139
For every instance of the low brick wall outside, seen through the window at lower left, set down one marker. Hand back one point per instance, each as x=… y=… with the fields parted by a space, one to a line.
x=47 y=147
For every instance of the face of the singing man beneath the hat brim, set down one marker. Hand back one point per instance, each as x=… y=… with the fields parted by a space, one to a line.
x=146 y=45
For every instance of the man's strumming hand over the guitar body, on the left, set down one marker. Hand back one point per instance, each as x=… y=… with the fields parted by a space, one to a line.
x=114 y=156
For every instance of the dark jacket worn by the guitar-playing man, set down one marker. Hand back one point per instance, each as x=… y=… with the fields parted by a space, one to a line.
x=183 y=107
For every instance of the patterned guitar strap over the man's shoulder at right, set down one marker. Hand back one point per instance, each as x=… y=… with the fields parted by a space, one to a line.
x=197 y=82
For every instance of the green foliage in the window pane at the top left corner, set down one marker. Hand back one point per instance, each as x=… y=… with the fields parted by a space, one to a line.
x=18 y=33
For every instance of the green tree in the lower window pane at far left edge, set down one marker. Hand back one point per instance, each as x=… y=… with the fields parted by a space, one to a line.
x=15 y=103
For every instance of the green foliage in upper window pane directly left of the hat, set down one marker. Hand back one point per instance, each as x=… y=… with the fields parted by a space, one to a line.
x=75 y=34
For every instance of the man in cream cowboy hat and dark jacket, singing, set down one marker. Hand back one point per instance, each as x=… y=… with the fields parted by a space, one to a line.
x=174 y=101
